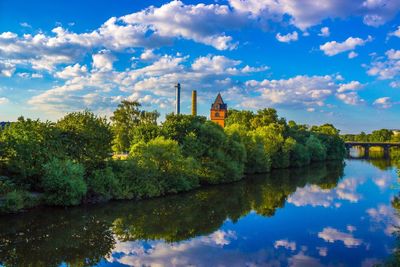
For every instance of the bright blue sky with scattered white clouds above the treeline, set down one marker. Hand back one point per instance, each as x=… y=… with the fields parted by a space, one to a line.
x=330 y=61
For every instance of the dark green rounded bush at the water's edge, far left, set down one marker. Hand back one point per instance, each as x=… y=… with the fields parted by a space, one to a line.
x=63 y=183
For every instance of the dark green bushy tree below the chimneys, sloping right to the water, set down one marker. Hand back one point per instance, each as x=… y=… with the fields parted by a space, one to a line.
x=221 y=158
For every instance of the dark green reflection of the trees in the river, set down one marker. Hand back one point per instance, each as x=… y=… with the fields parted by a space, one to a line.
x=83 y=236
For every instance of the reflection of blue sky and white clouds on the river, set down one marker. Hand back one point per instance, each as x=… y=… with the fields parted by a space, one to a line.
x=349 y=225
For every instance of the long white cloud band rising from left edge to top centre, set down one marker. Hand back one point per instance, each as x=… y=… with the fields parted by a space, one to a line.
x=150 y=28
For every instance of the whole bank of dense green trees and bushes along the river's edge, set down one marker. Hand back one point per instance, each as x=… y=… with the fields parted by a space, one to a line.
x=70 y=162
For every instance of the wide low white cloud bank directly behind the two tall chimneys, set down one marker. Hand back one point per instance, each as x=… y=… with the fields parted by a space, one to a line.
x=102 y=86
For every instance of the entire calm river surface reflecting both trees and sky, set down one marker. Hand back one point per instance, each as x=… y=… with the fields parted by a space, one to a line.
x=328 y=214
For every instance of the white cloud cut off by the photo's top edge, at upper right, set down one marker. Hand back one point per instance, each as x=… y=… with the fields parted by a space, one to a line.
x=307 y=13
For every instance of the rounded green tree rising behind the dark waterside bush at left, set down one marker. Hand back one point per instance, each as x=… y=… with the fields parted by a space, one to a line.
x=86 y=138
